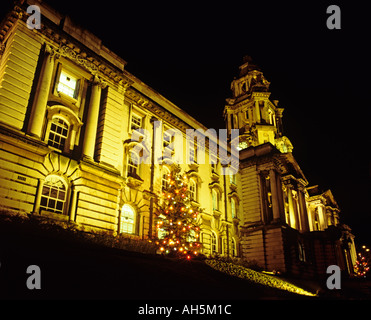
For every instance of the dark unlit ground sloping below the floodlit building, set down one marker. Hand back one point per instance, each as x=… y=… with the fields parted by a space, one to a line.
x=78 y=270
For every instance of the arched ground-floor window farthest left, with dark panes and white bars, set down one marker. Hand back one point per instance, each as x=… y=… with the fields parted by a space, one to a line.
x=53 y=195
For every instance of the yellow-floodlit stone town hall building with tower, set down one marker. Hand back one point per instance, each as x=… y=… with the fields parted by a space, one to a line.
x=68 y=114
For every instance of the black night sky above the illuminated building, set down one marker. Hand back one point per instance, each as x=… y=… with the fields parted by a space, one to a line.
x=190 y=52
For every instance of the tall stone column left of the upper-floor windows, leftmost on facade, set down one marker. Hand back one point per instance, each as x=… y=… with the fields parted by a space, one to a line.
x=37 y=116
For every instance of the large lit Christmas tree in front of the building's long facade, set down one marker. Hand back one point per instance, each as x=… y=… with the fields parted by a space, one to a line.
x=178 y=232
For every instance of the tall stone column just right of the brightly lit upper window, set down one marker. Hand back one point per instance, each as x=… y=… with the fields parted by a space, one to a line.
x=92 y=120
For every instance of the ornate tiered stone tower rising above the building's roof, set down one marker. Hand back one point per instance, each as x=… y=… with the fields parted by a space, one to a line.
x=250 y=110
